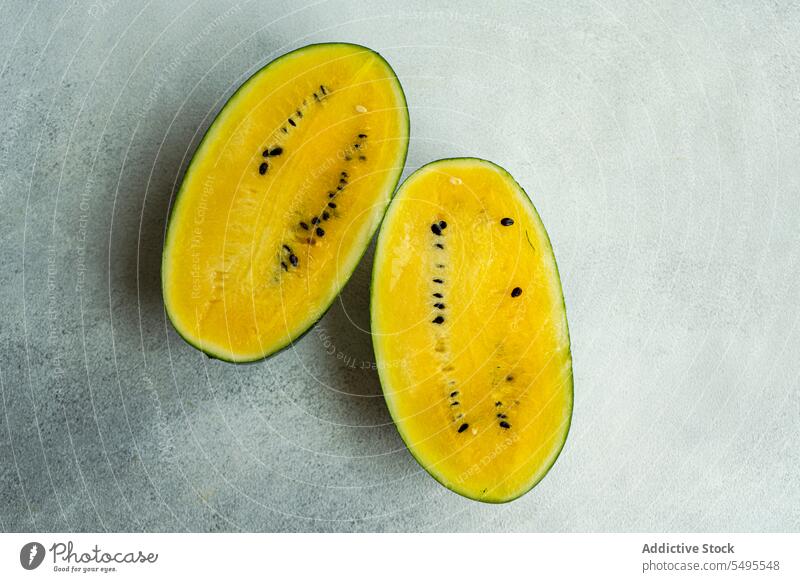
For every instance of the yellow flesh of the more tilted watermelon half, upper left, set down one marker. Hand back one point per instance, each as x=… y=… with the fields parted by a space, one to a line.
x=224 y=286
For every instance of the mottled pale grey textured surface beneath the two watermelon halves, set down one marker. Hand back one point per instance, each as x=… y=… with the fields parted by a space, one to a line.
x=659 y=142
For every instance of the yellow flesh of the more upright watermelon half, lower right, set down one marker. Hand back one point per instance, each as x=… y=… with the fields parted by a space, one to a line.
x=491 y=347
